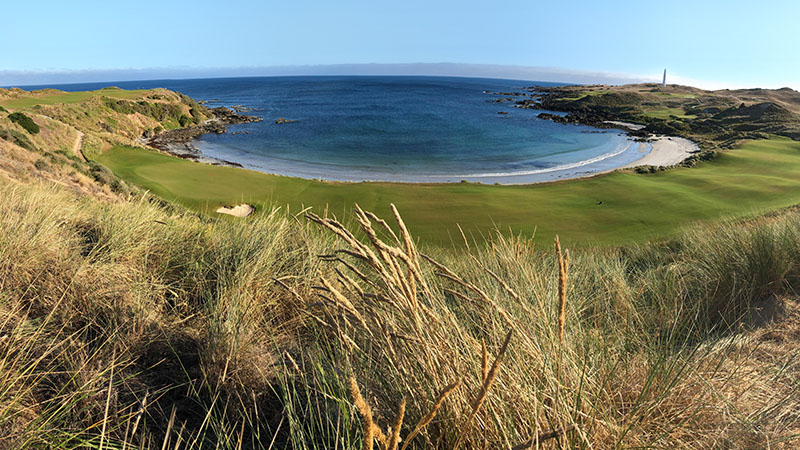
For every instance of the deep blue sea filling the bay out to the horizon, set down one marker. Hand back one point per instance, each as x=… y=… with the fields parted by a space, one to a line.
x=395 y=128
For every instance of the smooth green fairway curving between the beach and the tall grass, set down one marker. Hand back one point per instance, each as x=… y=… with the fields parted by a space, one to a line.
x=758 y=177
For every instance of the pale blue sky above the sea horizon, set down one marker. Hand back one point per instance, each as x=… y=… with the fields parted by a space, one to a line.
x=706 y=43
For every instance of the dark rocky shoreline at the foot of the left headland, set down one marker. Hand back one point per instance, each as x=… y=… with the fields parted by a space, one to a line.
x=178 y=142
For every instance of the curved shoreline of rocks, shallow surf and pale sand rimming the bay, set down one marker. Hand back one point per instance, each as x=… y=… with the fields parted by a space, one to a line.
x=659 y=151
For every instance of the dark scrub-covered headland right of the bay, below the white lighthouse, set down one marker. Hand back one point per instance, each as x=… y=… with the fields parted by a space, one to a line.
x=713 y=119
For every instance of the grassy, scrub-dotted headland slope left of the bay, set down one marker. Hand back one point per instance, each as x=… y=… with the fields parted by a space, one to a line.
x=48 y=134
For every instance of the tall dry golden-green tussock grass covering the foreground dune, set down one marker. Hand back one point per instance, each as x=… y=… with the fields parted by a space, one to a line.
x=138 y=324
